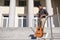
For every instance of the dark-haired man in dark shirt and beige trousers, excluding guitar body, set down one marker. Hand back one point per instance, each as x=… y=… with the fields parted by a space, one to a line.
x=41 y=15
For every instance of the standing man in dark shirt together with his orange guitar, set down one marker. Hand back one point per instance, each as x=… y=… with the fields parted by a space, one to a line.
x=42 y=17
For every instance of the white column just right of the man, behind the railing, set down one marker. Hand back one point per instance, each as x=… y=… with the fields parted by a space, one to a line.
x=50 y=11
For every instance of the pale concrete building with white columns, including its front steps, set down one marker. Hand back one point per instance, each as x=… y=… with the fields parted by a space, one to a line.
x=21 y=14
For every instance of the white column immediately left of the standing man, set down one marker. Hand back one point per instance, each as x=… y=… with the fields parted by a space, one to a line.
x=30 y=13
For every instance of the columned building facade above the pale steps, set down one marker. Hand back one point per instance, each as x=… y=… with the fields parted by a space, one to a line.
x=22 y=13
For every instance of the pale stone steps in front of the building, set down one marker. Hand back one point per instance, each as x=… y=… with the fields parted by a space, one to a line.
x=23 y=33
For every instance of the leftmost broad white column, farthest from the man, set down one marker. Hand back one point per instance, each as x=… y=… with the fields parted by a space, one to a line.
x=12 y=13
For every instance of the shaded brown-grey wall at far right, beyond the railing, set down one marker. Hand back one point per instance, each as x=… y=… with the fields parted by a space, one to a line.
x=55 y=5
